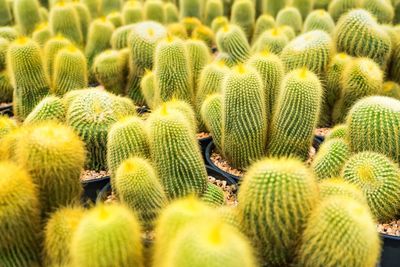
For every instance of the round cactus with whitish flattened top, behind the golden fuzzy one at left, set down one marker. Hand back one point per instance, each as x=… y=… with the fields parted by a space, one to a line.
x=91 y=114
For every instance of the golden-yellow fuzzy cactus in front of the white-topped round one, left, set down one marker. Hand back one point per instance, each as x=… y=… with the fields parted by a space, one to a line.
x=50 y=150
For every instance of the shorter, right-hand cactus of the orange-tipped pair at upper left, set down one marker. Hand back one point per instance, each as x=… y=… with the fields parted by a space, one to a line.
x=70 y=71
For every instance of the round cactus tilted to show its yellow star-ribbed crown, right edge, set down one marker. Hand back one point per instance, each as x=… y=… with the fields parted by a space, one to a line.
x=379 y=179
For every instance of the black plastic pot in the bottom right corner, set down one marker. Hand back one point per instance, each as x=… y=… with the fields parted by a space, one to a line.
x=391 y=251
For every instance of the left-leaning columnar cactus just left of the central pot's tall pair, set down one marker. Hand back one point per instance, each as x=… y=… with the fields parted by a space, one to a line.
x=180 y=168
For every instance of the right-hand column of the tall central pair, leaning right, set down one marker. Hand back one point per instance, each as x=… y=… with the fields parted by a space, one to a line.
x=296 y=115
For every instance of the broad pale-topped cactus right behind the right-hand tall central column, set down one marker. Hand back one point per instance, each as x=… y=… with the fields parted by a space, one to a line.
x=312 y=49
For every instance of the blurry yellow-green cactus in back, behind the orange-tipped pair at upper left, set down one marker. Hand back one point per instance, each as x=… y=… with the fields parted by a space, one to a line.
x=64 y=20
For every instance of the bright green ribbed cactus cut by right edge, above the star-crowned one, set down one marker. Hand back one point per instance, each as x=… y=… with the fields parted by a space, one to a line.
x=373 y=125
